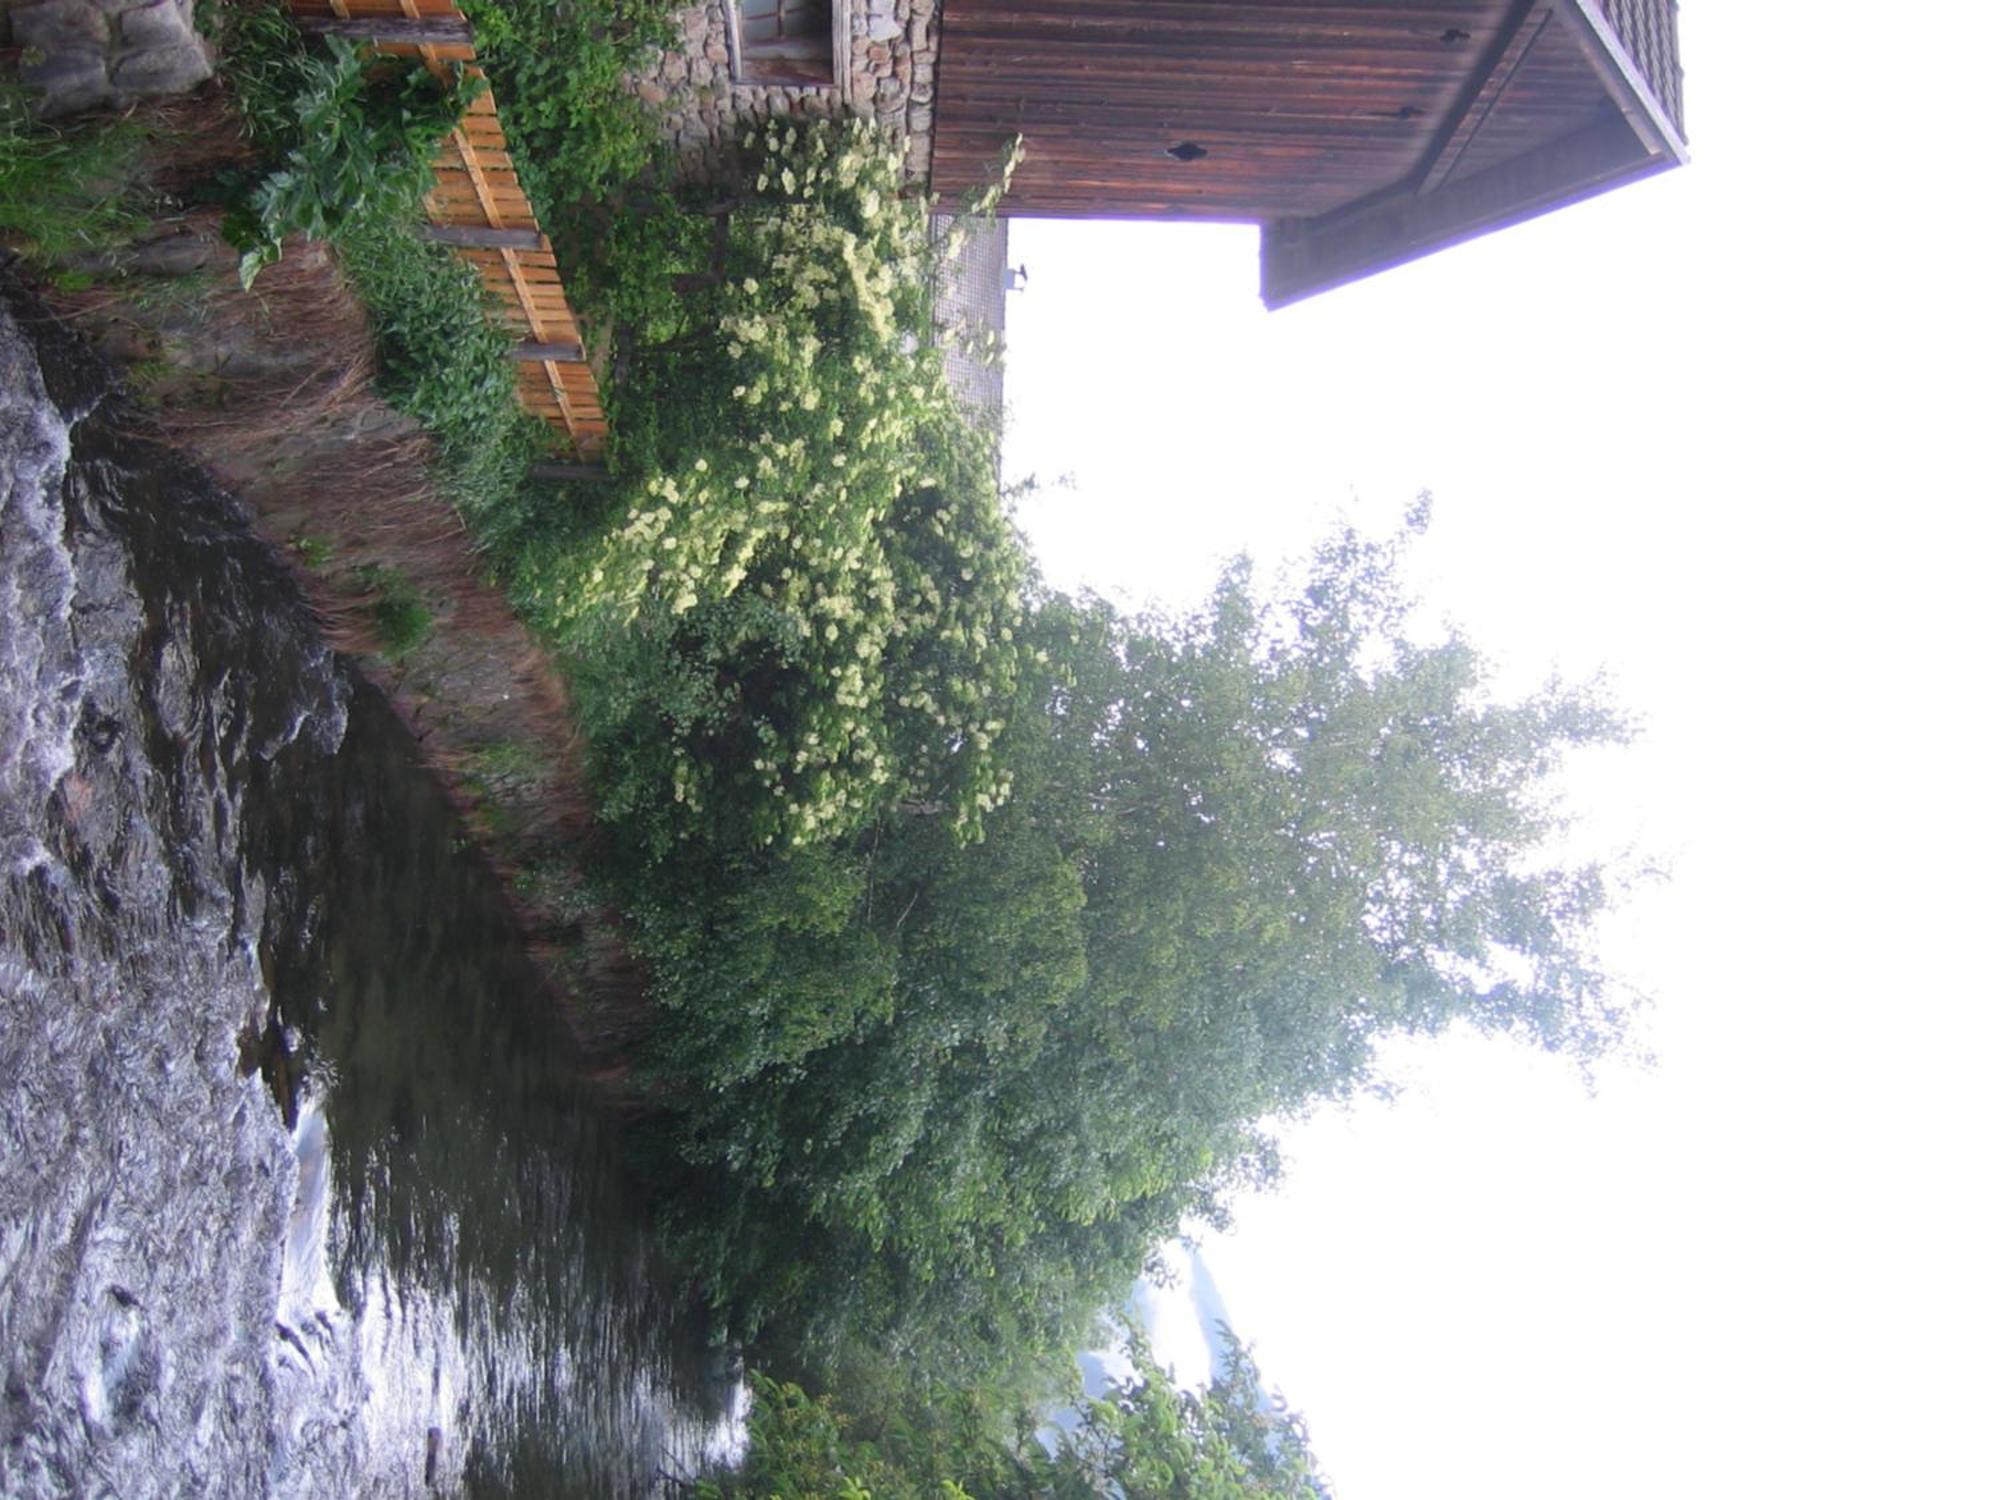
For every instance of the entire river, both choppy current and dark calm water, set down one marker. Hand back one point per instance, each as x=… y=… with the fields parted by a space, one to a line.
x=299 y=1193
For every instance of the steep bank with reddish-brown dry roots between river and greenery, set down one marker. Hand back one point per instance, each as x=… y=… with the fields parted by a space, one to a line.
x=271 y=393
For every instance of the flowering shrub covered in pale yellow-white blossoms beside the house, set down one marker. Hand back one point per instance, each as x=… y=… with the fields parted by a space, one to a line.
x=811 y=609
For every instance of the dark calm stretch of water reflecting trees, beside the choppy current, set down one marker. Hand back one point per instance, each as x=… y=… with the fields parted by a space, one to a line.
x=469 y=1273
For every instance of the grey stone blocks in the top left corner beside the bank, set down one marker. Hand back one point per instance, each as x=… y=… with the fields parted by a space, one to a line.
x=105 y=53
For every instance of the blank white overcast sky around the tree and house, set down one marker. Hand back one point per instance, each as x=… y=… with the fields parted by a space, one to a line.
x=1719 y=435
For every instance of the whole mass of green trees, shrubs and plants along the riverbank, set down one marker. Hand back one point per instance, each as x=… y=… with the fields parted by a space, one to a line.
x=987 y=927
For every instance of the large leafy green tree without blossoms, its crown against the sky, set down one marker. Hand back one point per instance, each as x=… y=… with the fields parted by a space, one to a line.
x=1241 y=849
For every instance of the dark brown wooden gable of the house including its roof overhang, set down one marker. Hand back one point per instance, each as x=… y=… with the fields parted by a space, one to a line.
x=1357 y=135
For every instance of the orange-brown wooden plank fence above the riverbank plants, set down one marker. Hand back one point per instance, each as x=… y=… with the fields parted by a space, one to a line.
x=481 y=211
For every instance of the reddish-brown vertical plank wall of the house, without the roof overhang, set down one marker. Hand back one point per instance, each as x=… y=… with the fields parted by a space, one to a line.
x=1297 y=107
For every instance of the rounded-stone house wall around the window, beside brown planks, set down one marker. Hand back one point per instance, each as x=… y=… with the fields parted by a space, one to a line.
x=885 y=71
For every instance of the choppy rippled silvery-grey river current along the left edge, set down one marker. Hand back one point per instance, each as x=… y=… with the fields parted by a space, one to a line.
x=147 y=1179
